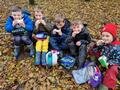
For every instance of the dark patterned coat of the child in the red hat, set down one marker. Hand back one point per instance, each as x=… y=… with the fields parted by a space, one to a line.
x=111 y=51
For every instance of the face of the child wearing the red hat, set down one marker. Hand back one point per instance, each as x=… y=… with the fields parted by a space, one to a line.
x=107 y=37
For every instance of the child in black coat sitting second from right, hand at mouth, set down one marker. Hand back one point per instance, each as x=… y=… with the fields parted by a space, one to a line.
x=78 y=41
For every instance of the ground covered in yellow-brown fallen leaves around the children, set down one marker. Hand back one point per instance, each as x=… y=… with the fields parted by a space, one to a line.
x=23 y=74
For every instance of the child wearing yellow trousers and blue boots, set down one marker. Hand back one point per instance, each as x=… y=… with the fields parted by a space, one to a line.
x=41 y=34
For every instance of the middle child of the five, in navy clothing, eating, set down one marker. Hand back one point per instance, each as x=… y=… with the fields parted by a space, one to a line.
x=59 y=33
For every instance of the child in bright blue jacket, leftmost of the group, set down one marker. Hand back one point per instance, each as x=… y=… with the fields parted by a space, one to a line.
x=19 y=25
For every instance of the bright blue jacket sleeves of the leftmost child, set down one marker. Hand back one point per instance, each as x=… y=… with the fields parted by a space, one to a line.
x=28 y=24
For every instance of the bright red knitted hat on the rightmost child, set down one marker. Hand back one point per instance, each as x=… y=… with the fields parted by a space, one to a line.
x=111 y=28
